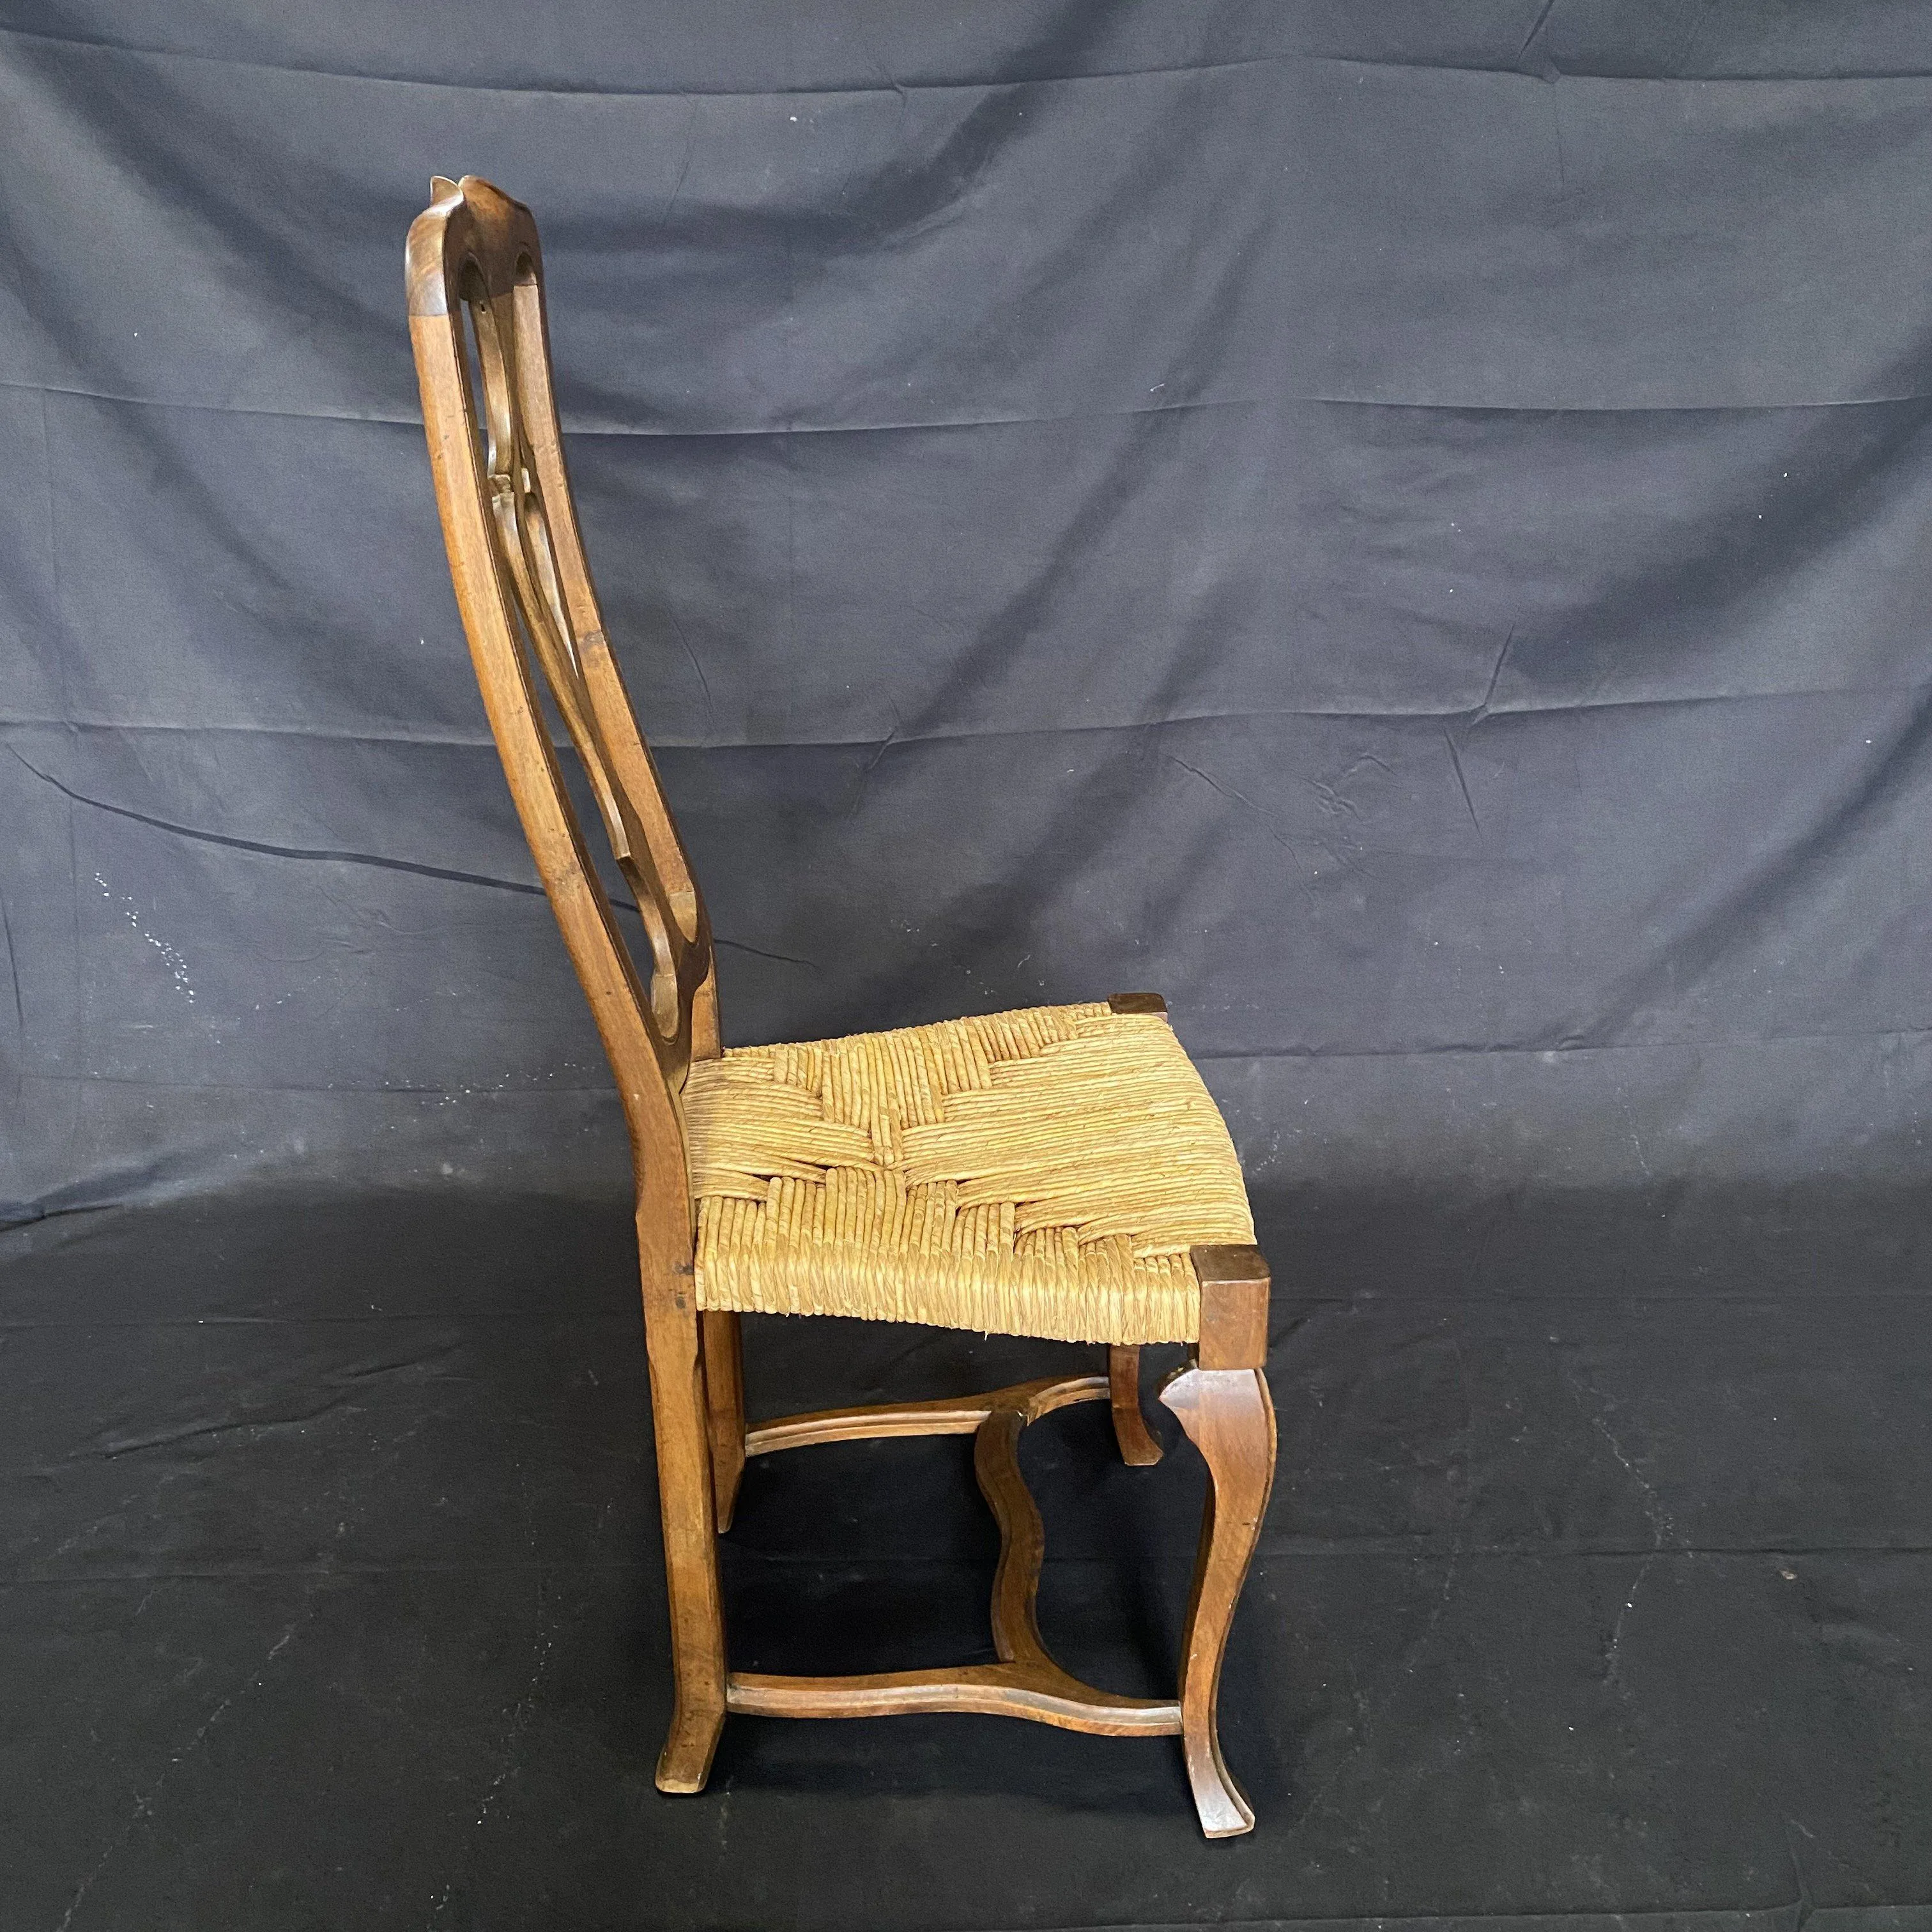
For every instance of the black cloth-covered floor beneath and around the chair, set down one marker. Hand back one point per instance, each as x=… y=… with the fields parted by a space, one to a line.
x=1597 y=1587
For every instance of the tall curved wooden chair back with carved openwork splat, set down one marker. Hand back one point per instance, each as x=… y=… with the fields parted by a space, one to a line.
x=530 y=610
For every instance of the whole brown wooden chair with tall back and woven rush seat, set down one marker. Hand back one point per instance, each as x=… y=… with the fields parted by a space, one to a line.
x=1058 y=1172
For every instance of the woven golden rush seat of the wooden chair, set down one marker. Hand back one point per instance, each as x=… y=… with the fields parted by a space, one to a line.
x=1019 y=1174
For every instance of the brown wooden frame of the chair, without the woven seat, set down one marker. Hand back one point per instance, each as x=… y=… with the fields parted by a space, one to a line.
x=536 y=635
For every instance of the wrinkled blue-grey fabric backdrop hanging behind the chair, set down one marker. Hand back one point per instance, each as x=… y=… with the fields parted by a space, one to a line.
x=1400 y=532
